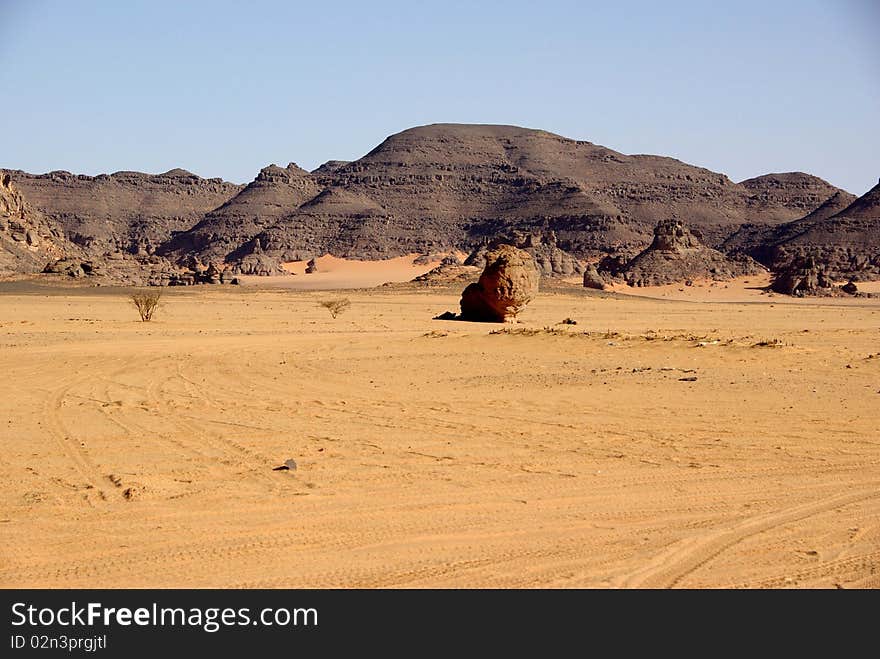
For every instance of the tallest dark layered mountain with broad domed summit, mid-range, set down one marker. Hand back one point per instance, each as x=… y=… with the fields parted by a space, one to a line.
x=437 y=188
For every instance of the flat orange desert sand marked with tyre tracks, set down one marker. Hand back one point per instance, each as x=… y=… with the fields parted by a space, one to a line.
x=724 y=439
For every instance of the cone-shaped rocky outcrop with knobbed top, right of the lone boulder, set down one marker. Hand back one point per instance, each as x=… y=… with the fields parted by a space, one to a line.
x=677 y=255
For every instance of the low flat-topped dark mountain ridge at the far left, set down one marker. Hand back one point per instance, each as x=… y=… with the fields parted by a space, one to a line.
x=127 y=212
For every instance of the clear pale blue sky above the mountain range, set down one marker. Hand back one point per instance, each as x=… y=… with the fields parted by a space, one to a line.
x=224 y=88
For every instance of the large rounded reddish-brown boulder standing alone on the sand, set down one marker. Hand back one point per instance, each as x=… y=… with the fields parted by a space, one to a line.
x=508 y=283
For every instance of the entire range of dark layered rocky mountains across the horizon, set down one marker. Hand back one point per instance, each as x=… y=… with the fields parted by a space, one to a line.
x=442 y=188
